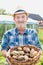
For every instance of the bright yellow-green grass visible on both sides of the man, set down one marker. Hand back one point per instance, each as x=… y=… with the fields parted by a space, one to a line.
x=40 y=33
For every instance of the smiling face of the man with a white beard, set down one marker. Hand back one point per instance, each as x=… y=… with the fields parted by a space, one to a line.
x=21 y=20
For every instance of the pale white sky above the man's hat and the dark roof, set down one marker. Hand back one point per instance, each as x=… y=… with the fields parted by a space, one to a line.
x=31 y=6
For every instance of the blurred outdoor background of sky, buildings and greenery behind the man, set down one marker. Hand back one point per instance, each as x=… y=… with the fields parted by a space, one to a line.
x=35 y=19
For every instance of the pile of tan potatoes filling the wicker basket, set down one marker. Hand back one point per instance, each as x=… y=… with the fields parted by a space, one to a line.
x=23 y=53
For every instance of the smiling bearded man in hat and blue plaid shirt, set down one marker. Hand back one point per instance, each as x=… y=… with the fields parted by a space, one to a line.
x=19 y=35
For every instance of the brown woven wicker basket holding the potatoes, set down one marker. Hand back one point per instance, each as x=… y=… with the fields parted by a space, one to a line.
x=31 y=61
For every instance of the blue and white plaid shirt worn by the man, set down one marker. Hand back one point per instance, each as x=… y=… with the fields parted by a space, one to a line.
x=14 y=38
